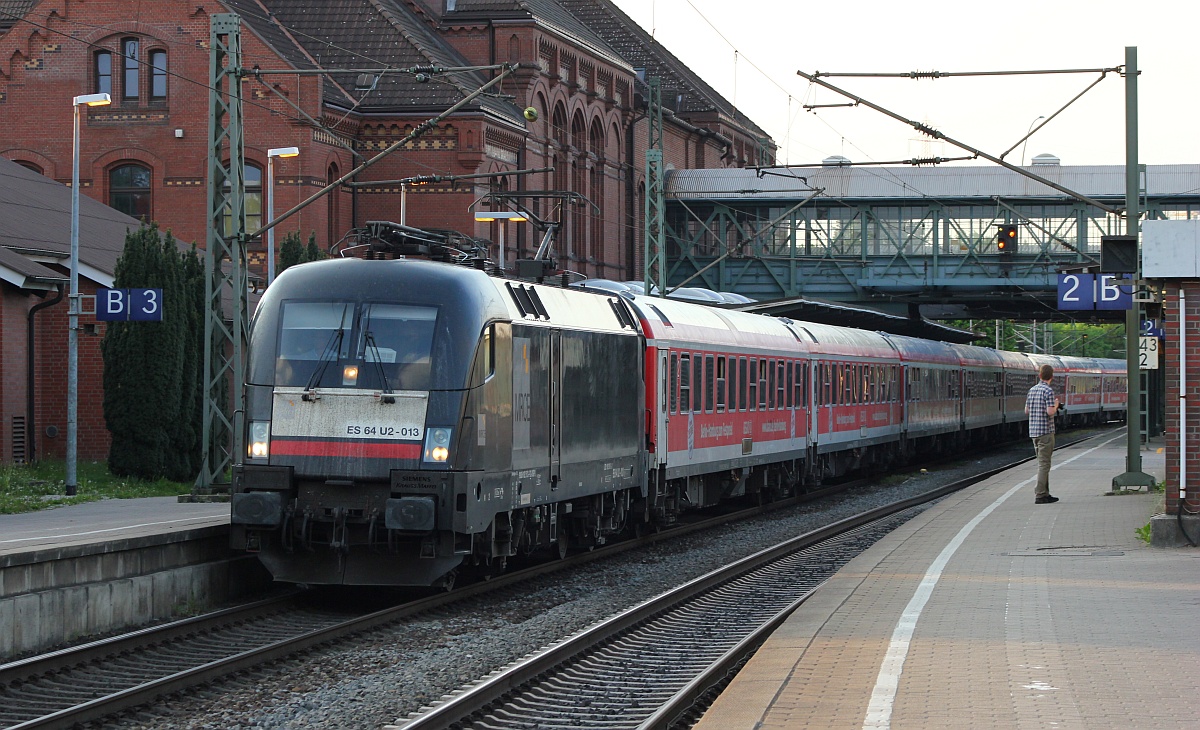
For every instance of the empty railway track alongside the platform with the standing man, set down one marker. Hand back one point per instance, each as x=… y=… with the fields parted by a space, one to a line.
x=653 y=666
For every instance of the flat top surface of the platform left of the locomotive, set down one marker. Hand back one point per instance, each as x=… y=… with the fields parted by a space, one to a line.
x=105 y=520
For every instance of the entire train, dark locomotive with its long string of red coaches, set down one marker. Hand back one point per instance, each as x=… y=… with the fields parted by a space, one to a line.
x=407 y=421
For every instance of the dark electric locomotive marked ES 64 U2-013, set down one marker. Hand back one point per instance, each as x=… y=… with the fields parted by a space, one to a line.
x=409 y=420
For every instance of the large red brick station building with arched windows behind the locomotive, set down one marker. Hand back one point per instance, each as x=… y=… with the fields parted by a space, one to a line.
x=146 y=155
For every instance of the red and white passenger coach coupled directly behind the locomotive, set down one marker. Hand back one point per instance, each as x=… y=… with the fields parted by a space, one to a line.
x=730 y=393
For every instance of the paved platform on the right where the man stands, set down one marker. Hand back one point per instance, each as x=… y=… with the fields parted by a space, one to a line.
x=988 y=611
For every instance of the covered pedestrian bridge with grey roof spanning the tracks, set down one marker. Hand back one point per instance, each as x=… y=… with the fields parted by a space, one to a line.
x=907 y=240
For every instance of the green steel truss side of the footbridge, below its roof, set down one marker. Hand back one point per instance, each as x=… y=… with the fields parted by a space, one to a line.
x=890 y=255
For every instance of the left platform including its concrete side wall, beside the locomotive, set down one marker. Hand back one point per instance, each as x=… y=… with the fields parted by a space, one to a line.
x=88 y=570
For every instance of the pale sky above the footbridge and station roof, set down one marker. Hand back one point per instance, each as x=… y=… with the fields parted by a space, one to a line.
x=751 y=52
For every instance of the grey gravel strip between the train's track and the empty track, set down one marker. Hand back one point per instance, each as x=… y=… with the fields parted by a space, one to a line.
x=382 y=678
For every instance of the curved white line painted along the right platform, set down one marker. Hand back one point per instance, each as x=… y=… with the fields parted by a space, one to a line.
x=879 y=713
